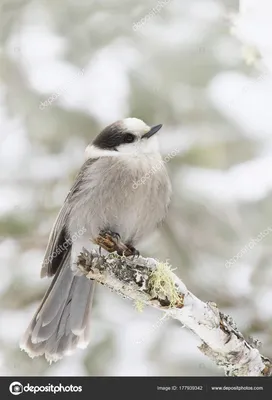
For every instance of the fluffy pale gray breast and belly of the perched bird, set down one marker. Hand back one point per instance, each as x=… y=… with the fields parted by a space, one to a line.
x=109 y=197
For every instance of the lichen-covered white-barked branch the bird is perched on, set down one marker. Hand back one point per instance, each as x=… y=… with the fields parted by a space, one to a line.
x=152 y=283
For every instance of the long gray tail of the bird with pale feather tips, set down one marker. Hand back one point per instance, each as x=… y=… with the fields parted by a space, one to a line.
x=61 y=322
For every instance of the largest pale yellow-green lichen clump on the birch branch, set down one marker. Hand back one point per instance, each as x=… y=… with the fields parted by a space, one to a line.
x=162 y=285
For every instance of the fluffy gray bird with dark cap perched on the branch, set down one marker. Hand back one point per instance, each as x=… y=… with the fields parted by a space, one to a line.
x=103 y=198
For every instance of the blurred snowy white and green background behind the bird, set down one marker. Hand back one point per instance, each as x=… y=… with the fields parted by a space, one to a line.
x=203 y=69
